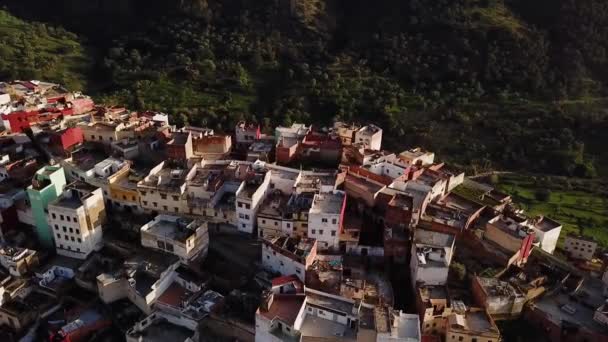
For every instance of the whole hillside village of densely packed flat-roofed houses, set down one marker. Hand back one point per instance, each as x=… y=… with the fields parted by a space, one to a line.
x=116 y=224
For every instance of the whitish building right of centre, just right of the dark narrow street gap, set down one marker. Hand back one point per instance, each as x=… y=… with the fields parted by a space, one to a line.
x=431 y=256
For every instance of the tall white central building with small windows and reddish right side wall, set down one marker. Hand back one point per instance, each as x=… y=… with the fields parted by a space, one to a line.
x=325 y=218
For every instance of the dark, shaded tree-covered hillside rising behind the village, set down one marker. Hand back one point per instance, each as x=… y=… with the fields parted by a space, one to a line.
x=507 y=84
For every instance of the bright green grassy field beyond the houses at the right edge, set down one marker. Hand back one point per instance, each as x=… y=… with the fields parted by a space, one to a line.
x=580 y=205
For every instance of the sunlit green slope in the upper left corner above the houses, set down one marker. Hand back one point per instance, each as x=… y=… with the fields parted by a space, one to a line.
x=41 y=51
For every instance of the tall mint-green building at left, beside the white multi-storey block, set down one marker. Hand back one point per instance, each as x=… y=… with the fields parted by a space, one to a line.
x=47 y=185
